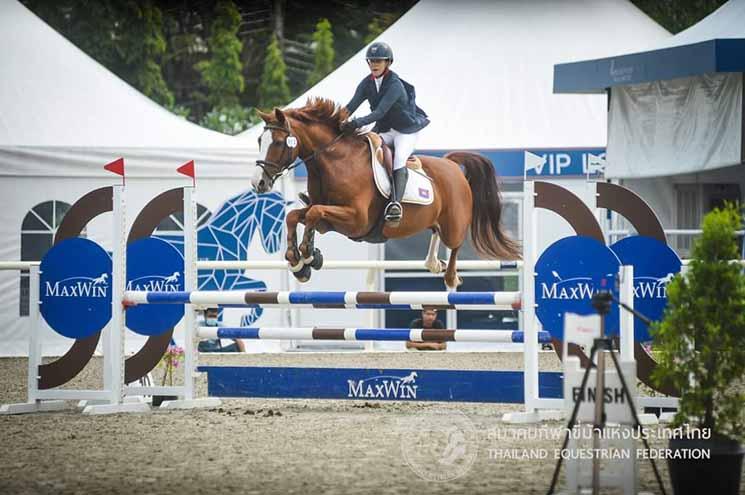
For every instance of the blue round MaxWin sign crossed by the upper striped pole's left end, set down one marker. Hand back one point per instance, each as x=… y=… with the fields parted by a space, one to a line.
x=154 y=265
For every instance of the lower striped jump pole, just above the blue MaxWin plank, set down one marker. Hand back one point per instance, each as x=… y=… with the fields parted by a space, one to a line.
x=388 y=334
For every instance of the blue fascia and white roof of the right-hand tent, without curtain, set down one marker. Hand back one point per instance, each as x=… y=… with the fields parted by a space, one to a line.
x=716 y=44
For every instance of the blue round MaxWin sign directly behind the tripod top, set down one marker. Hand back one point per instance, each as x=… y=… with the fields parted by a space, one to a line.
x=568 y=273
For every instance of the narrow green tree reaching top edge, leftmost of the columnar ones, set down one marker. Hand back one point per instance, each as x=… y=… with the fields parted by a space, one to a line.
x=222 y=73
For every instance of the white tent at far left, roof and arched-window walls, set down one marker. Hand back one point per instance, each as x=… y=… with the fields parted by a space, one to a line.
x=62 y=117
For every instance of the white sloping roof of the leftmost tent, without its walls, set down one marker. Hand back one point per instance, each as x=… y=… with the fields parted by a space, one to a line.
x=62 y=113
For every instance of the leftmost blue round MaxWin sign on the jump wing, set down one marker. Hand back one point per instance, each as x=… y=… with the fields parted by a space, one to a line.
x=75 y=288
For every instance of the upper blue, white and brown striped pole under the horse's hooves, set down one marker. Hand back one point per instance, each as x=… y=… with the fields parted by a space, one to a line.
x=320 y=299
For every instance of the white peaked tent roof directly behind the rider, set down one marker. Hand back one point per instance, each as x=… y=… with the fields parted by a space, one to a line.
x=483 y=69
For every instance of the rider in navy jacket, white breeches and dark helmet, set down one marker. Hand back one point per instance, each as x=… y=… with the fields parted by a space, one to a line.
x=397 y=118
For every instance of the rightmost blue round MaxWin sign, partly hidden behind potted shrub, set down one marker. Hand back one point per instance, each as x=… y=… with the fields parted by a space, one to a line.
x=655 y=265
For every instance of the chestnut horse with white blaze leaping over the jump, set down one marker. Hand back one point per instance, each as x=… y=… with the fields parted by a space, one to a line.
x=344 y=198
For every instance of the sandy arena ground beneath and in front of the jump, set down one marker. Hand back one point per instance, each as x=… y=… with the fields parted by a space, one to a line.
x=270 y=446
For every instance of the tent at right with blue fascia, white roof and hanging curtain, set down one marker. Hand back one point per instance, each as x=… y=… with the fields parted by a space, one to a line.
x=677 y=107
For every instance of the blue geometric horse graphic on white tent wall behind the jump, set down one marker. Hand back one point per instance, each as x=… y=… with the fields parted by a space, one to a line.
x=227 y=237
